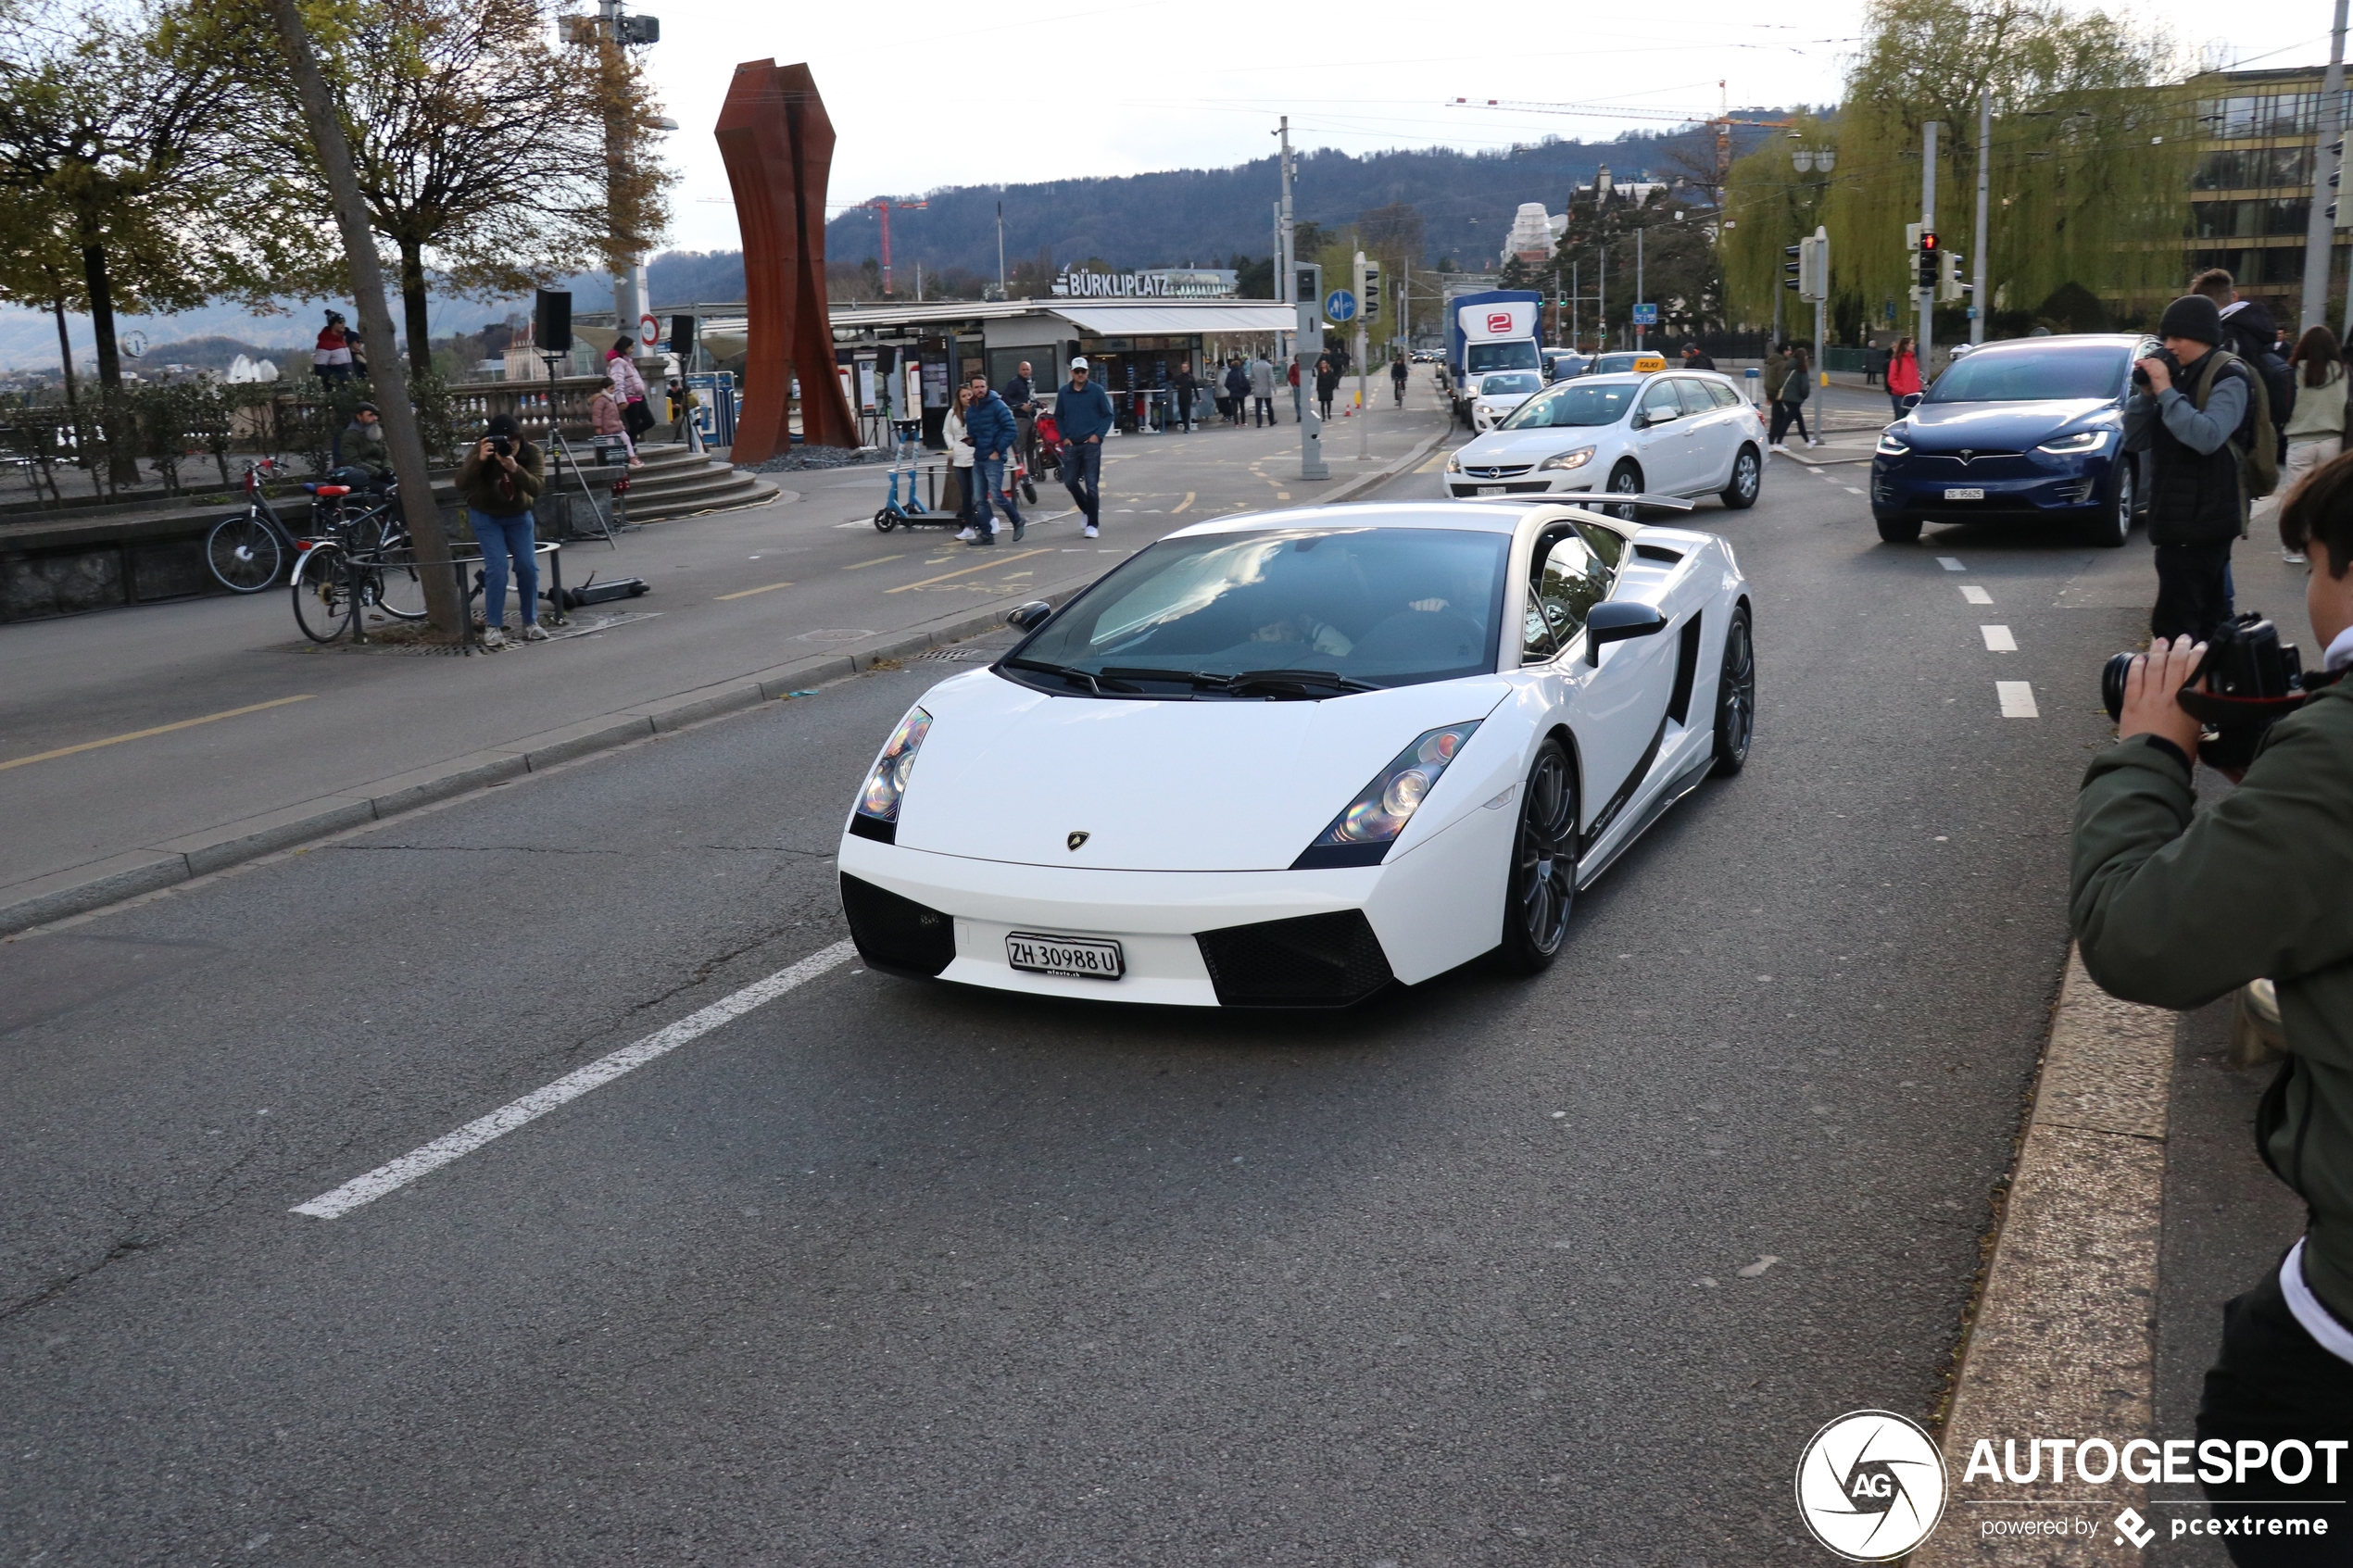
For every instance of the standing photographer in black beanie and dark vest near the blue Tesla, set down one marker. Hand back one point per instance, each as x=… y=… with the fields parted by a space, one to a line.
x=2197 y=422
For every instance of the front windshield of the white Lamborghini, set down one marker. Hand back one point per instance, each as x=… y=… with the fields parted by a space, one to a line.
x=1279 y=615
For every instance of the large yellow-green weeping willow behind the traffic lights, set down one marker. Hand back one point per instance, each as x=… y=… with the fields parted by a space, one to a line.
x=2091 y=161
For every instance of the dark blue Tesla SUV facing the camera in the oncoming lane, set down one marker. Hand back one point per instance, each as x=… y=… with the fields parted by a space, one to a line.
x=2027 y=429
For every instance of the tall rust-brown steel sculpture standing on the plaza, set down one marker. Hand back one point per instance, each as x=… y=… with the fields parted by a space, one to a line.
x=778 y=145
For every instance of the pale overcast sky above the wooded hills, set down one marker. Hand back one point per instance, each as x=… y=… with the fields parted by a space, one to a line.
x=964 y=95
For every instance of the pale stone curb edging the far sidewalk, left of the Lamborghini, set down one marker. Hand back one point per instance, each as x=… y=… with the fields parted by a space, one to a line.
x=159 y=866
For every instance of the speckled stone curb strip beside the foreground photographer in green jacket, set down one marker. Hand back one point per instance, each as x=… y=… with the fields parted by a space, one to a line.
x=2062 y=1336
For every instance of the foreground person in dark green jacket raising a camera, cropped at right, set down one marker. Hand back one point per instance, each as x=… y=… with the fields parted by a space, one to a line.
x=2178 y=909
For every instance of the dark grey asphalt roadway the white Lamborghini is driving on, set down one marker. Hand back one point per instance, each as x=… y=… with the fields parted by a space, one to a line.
x=891 y=1273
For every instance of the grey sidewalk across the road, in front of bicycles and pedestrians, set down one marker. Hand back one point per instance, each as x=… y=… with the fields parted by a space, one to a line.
x=147 y=749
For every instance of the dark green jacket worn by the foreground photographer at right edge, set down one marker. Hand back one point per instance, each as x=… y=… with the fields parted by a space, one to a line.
x=2178 y=909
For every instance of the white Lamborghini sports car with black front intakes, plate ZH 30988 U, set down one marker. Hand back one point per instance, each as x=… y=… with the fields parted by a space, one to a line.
x=1293 y=758
